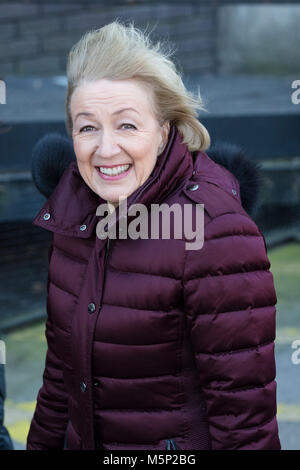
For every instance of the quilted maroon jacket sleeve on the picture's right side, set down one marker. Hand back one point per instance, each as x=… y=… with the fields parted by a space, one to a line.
x=229 y=300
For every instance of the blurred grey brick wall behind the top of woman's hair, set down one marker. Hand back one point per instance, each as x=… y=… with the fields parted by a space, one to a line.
x=35 y=37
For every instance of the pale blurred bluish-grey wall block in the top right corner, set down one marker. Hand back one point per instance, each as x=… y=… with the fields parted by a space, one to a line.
x=259 y=39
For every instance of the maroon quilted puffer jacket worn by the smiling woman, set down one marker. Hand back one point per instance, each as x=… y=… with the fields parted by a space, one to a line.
x=150 y=345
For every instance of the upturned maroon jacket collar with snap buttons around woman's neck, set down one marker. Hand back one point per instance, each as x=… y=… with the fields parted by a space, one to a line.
x=71 y=208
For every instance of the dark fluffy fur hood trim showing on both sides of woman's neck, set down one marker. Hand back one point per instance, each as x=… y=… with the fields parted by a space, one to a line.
x=54 y=152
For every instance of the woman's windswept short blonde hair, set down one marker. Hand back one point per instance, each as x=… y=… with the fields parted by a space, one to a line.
x=118 y=51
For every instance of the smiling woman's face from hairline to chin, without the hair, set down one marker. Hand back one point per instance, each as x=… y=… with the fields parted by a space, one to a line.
x=116 y=147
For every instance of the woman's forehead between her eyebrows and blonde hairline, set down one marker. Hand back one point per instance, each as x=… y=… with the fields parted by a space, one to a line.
x=106 y=92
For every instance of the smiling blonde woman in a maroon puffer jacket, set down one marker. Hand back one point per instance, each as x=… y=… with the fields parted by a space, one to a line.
x=150 y=345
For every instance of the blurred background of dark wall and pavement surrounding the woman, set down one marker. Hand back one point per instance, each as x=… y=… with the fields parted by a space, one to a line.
x=245 y=56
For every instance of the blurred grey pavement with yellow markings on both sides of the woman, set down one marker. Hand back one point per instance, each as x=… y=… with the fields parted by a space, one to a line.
x=26 y=349
